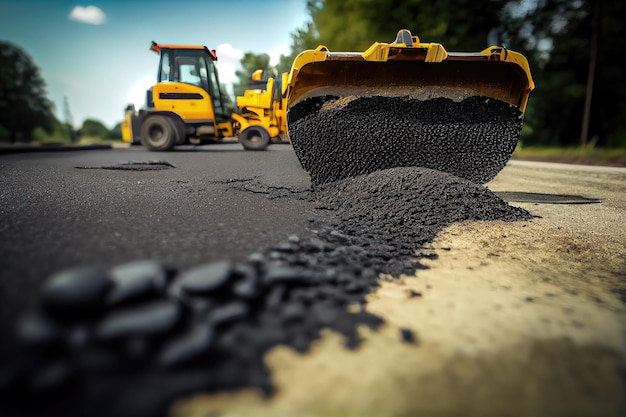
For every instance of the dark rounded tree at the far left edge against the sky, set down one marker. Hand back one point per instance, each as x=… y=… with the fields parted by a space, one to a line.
x=23 y=102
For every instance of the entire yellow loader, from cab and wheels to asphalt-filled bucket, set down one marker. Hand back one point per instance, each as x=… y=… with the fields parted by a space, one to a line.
x=404 y=103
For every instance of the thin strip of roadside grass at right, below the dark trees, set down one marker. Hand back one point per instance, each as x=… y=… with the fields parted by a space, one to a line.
x=615 y=157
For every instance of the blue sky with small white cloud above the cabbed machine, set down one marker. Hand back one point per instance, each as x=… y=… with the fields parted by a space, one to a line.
x=96 y=53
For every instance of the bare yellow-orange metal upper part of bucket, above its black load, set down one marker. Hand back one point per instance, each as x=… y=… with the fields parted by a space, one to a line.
x=406 y=66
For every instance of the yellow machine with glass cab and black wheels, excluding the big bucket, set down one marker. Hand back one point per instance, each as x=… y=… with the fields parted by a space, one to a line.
x=187 y=105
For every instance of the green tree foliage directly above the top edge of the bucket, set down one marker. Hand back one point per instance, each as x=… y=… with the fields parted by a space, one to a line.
x=353 y=25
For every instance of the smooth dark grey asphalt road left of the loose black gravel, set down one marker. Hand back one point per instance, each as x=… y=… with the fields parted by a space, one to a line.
x=107 y=206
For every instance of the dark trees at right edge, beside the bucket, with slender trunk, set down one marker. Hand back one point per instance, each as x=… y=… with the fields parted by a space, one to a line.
x=572 y=49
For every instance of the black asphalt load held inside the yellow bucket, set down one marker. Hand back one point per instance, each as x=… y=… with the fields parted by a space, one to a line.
x=336 y=138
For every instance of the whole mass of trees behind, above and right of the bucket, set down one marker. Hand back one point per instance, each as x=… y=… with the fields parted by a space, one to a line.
x=562 y=39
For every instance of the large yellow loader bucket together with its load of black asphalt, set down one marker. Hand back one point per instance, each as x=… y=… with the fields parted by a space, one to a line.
x=406 y=103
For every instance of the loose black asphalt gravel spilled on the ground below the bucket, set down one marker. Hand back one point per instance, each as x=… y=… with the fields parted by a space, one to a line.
x=128 y=340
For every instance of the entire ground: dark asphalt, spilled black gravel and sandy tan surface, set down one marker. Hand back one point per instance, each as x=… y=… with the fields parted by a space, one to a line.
x=227 y=283
